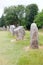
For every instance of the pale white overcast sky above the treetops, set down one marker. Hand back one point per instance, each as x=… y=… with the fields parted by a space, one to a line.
x=6 y=3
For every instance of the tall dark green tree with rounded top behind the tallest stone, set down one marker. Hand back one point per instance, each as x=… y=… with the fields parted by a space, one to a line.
x=31 y=11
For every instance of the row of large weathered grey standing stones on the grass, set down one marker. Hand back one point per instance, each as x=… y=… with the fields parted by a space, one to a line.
x=19 y=32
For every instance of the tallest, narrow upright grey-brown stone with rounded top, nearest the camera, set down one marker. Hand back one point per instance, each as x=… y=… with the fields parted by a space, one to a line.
x=34 y=36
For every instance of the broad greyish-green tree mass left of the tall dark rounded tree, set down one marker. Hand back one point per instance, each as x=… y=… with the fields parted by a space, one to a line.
x=14 y=15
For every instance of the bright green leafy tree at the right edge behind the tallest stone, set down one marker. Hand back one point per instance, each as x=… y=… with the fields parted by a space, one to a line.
x=39 y=20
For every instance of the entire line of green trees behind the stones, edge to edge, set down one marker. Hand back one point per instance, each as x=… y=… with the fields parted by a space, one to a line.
x=22 y=15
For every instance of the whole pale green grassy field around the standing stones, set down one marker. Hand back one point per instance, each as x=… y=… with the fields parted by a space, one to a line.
x=14 y=52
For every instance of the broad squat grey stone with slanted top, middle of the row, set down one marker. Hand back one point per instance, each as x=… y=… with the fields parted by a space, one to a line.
x=19 y=32
